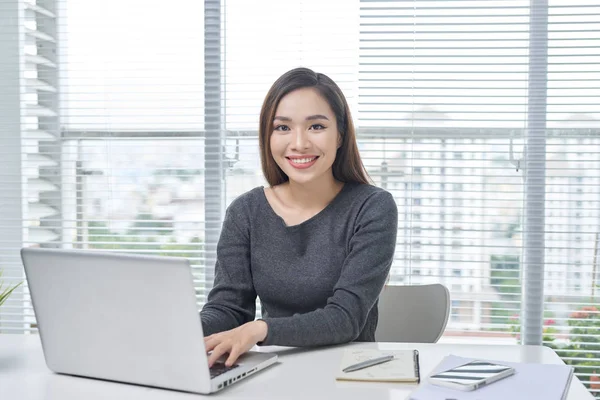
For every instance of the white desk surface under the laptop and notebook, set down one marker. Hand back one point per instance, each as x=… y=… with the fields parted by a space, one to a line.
x=299 y=374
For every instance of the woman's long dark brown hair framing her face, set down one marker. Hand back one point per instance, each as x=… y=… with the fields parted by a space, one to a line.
x=348 y=166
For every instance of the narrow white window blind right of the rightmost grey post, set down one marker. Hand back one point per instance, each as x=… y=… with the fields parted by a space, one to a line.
x=572 y=207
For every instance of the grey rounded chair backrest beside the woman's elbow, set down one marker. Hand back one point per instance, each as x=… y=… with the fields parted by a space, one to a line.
x=416 y=314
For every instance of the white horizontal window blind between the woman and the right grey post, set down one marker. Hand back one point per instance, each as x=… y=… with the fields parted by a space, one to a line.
x=442 y=102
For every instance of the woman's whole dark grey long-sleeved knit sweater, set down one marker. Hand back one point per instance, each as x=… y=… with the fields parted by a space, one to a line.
x=318 y=282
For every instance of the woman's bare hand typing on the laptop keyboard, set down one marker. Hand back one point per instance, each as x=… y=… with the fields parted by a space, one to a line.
x=235 y=341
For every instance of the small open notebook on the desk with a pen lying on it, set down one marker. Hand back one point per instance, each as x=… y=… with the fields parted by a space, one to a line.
x=403 y=368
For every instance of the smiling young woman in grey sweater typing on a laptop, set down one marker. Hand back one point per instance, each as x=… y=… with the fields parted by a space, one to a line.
x=316 y=246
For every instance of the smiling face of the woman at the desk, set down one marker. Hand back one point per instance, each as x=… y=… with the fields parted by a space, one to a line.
x=305 y=137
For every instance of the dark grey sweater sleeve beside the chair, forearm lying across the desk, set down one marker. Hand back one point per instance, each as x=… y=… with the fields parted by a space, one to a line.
x=365 y=269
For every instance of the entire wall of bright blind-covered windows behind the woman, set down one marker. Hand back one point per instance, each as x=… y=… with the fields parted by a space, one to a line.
x=131 y=125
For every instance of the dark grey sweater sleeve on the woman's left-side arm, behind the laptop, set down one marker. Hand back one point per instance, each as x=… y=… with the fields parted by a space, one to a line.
x=232 y=300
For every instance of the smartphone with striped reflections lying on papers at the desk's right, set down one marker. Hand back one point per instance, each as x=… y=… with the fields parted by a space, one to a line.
x=471 y=376
